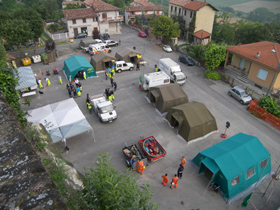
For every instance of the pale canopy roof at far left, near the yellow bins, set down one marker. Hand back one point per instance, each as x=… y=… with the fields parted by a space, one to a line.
x=26 y=78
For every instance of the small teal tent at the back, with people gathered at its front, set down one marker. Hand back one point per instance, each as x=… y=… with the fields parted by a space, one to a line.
x=75 y=64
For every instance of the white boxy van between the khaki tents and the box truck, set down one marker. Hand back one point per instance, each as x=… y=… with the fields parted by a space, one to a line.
x=155 y=79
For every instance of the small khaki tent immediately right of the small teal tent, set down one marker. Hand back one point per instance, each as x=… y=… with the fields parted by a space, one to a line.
x=102 y=61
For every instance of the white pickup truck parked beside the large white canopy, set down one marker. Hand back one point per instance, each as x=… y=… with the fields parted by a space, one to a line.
x=103 y=108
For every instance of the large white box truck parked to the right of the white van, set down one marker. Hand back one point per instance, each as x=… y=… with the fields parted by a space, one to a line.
x=172 y=69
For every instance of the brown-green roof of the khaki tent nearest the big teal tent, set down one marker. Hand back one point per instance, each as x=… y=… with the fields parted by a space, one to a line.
x=195 y=113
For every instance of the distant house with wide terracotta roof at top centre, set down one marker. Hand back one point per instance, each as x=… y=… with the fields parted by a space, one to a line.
x=142 y=7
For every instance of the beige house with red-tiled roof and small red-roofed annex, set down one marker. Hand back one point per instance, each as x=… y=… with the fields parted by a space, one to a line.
x=198 y=18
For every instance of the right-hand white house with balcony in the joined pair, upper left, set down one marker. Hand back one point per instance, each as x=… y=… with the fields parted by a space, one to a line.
x=108 y=16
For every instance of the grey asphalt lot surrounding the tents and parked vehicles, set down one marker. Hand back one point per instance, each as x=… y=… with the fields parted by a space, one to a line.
x=136 y=117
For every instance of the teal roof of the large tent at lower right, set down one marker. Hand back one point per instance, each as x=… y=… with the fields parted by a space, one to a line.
x=237 y=154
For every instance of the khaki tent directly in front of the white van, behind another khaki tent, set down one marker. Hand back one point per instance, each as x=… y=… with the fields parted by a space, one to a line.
x=167 y=96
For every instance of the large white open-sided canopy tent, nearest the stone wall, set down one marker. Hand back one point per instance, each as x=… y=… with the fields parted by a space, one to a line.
x=63 y=119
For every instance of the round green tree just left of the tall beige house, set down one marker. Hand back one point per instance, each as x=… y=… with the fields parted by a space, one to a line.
x=165 y=27
